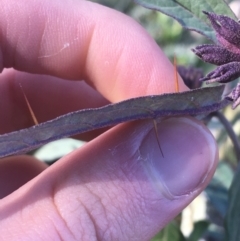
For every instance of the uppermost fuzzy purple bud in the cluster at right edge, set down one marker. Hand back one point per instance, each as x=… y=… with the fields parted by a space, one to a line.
x=227 y=29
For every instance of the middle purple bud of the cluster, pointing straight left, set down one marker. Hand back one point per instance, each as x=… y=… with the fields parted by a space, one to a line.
x=215 y=54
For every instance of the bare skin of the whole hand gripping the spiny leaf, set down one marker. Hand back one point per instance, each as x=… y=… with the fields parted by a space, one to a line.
x=118 y=186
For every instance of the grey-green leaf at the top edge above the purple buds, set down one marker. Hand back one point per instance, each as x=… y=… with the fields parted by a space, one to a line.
x=189 y=12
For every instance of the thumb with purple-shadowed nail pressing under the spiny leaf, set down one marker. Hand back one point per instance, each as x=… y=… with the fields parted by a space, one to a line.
x=118 y=187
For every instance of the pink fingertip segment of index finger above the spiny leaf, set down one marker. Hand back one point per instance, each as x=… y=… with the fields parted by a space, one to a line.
x=129 y=62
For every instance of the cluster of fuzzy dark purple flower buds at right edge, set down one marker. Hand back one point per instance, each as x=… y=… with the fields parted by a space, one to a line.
x=226 y=55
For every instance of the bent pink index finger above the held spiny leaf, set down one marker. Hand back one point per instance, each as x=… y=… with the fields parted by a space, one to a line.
x=126 y=63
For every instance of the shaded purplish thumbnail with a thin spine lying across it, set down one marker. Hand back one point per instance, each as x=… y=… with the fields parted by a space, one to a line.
x=189 y=156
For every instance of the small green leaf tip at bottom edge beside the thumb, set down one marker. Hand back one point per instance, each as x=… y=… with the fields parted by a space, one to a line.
x=170 y=233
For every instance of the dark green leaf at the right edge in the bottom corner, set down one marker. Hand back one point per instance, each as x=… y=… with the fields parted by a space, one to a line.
x=232 y=221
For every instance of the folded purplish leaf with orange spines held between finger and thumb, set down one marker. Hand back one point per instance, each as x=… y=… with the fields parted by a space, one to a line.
x=198 y=102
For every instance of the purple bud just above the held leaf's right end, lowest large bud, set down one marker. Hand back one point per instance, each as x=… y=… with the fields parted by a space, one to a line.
x=224 y=73
